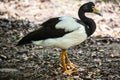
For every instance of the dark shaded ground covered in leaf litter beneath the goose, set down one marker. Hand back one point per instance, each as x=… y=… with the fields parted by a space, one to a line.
x=98 y=58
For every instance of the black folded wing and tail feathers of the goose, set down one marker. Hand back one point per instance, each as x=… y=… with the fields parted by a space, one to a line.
x=46 y=31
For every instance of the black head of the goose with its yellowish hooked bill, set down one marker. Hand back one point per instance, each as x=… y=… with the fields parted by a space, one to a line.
x=90 y=7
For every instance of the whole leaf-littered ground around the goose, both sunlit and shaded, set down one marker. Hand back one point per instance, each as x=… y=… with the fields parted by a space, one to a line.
x=98 y=57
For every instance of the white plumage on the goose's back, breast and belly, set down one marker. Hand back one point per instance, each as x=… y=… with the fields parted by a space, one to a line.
x=73 y=38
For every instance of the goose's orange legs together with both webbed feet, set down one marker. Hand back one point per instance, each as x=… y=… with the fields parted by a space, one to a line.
x=65 y=59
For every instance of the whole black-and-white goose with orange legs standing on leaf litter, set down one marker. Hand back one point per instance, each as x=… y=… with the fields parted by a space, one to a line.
x=64 y=32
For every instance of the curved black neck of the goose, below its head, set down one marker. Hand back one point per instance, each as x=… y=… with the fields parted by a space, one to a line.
x=90 y=24
